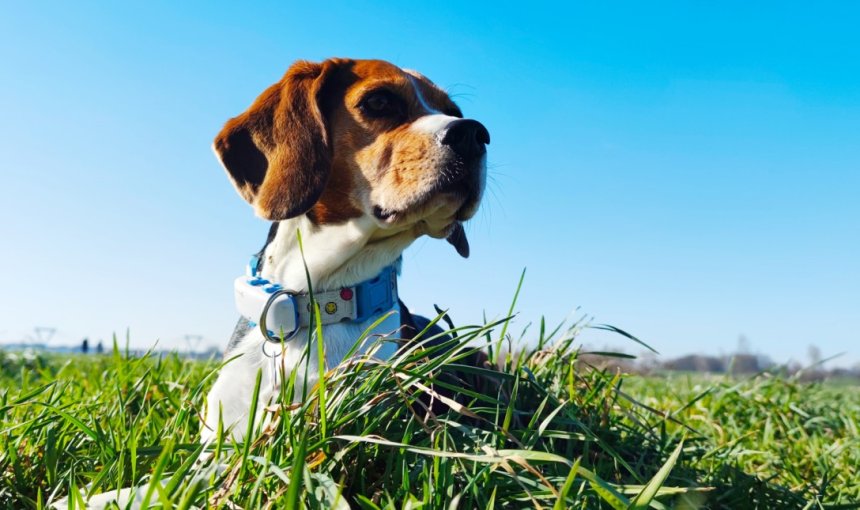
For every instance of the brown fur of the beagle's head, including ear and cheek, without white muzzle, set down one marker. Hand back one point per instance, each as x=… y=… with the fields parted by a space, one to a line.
x=305 y=146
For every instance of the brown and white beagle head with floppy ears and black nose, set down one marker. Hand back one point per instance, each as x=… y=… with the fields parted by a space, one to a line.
x=345 y=138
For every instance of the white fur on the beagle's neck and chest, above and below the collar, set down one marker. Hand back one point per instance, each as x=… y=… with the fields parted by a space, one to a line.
x=336 y=256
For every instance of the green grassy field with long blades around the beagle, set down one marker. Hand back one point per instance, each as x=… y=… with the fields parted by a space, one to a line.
x=554 y=434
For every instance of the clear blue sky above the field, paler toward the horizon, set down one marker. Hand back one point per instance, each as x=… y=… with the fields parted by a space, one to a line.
x=689 y=172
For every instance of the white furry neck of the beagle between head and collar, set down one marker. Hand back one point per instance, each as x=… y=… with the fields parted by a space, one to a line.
x=336 y=256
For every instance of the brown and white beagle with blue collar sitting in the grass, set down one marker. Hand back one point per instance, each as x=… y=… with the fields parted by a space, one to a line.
x=352 y=161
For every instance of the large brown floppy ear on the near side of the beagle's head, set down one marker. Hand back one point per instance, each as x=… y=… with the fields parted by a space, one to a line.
x=277 y=153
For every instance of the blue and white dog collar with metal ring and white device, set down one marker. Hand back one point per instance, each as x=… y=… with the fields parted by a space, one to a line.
x=284 y=312
